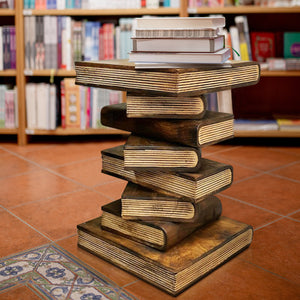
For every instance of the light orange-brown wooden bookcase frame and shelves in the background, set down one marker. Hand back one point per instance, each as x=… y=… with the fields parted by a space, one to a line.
x=260 y=16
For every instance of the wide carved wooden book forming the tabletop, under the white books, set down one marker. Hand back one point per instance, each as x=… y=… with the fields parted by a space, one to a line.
x=120 y=74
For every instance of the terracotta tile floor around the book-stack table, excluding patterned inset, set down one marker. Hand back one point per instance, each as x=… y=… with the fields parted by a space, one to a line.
x=47 y=188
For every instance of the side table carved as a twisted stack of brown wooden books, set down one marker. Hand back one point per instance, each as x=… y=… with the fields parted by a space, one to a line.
x=167 y=227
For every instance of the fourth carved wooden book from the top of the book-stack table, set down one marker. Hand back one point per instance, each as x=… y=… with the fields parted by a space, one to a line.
x=145 y=153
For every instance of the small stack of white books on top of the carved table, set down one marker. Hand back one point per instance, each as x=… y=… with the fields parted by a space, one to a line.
x=176 y=40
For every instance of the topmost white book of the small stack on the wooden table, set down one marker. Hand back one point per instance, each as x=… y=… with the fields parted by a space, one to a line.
x=179 y=22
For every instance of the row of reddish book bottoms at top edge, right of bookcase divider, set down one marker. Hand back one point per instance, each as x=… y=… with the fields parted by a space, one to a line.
x=194 y=4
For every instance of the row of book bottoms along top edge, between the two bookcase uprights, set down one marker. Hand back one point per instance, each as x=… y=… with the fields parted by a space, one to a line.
x=96 y=4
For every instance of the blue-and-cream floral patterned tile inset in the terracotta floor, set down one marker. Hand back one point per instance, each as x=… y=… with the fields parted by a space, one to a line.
x=55 y=274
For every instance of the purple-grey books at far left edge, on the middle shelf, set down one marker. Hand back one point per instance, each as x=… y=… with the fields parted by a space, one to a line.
x=7 y=47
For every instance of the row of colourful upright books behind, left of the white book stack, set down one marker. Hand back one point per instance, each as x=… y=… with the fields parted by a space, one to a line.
x=69 y=40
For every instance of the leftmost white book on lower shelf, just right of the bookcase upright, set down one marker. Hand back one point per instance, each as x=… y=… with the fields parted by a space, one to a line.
x=31 y=108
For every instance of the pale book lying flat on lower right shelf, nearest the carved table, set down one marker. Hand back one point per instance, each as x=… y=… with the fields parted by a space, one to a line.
x=253 y=125
